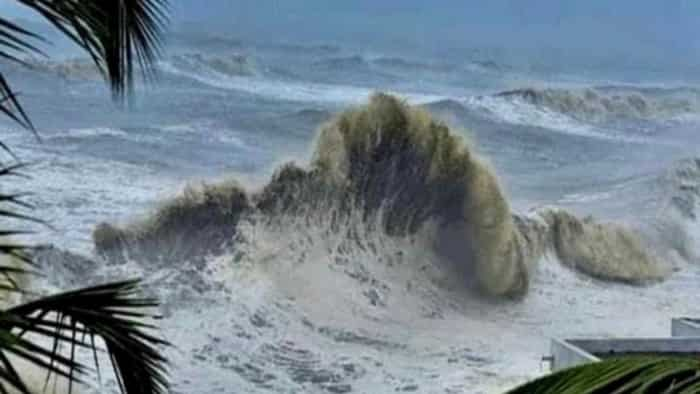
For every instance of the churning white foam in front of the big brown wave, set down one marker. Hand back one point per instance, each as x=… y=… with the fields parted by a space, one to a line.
x=296 y=277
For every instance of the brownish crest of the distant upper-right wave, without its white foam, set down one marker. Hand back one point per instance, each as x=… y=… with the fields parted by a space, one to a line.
x=609 y=103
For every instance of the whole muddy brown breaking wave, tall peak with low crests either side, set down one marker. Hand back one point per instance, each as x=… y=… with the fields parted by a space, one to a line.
x=405 y=175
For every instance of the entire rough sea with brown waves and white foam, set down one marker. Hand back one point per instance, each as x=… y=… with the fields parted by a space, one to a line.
x=333 y=278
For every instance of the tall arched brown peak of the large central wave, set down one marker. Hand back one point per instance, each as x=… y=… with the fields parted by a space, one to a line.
x=397 y=157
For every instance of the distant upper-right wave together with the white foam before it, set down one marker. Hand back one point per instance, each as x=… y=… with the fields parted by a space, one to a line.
x=611 y=112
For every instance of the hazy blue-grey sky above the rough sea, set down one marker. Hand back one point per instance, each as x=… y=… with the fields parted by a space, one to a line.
x=659 y=28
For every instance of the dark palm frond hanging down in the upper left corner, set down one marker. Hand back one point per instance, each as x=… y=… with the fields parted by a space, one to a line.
x=119 y=36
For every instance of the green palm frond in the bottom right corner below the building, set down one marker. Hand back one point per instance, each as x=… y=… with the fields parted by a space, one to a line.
x=627 y=375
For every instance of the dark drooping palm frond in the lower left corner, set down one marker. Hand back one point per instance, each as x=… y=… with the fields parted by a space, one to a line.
x=110 y=312
